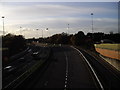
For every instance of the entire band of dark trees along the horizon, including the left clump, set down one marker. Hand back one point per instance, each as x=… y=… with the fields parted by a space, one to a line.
x=16 y=44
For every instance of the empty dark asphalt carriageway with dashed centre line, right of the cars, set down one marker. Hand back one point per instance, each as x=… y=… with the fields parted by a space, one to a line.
x=67 y=69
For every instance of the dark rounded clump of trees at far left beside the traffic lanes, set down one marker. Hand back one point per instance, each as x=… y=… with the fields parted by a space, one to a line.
x=12 y=44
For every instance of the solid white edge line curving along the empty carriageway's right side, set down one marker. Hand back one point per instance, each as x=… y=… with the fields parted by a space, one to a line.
x=101 y=86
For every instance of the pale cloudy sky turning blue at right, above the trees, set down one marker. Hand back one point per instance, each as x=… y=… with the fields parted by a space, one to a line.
x=56 y=16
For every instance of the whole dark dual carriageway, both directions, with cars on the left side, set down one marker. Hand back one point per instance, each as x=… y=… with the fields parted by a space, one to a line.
x=60 y=66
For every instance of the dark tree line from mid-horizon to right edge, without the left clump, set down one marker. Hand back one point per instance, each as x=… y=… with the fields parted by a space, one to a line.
x=80 y=39
